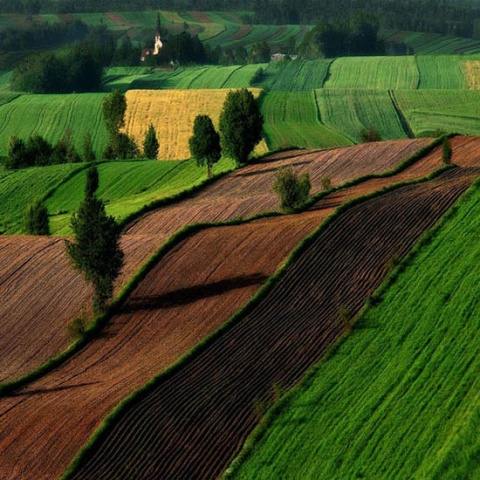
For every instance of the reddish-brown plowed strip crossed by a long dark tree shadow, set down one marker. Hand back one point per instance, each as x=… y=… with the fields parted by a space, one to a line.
x=189 y=294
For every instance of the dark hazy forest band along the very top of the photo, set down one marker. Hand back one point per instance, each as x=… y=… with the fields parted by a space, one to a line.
x=456 y=17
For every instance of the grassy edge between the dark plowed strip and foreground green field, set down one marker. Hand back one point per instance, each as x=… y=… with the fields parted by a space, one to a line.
x=272 y=413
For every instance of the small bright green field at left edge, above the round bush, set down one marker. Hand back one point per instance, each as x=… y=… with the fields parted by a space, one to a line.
x=18 y=188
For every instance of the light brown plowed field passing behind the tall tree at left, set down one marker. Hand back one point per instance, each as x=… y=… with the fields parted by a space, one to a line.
x=34 y=328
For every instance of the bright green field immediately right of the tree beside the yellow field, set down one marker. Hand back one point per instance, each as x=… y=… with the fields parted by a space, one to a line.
x=291 y=119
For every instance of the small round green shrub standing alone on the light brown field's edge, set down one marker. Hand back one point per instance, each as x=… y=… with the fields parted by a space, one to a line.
x=291 y=188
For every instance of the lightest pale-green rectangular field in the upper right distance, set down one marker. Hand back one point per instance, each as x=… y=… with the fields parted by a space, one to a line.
x=392 y=73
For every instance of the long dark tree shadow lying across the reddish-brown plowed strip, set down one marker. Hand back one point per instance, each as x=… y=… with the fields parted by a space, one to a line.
x=184 y=296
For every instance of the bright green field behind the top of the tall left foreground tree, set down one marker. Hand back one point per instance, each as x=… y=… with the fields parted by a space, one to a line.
x=126 y=187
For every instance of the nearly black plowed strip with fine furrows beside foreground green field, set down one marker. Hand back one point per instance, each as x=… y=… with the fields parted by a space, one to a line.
x=211 y=403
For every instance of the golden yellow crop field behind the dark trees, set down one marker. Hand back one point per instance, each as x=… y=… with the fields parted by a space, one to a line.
x=172 y=113
